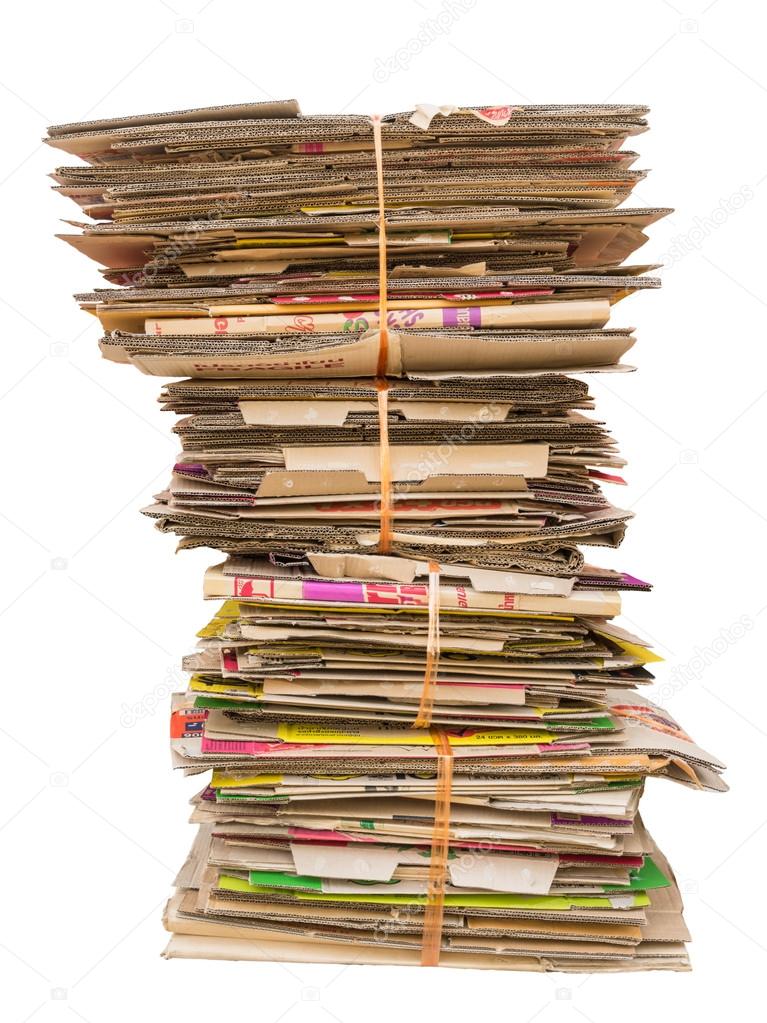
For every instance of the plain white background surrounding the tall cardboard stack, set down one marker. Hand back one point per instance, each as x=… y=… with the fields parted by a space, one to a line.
x=97 y=610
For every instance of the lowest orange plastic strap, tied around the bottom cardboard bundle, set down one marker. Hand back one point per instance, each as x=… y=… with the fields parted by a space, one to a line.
x=435 y=912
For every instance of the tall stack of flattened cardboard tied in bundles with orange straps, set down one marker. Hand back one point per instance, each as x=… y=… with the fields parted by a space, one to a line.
x=423 y=721
